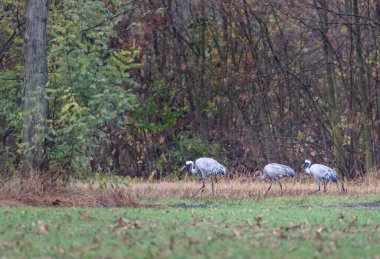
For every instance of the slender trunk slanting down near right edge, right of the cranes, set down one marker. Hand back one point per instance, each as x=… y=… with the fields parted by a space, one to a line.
x=363 y=91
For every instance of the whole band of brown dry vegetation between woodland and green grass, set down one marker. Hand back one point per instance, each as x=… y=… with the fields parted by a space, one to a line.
x=33 y=193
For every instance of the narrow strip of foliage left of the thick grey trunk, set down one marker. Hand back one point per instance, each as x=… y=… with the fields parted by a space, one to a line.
x=11 y=85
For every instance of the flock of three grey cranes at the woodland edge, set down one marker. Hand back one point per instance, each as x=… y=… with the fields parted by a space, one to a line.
x=210 y=167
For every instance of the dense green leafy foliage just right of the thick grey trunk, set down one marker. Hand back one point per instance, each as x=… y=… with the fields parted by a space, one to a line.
x=85 y=82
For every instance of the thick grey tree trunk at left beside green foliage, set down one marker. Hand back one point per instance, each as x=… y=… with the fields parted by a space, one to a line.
x=36 y=105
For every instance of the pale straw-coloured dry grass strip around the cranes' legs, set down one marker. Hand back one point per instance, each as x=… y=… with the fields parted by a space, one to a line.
x=251 y=188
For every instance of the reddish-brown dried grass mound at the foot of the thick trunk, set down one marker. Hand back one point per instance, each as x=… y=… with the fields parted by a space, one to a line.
x=37 y=190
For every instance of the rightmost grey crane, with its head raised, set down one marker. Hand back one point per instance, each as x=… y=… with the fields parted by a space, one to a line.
x=321 y=172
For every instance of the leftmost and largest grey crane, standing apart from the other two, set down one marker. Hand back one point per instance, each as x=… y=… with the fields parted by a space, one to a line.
x=205 y=166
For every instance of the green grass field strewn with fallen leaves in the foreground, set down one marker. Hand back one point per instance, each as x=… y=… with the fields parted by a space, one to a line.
x=270 y=228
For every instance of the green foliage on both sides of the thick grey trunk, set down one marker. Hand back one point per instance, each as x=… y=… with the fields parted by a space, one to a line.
x=86 y=81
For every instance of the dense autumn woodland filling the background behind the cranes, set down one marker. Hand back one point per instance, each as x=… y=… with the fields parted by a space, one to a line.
x=138 y=87
